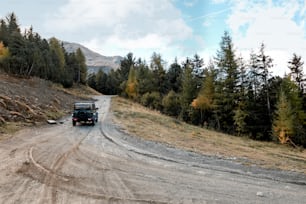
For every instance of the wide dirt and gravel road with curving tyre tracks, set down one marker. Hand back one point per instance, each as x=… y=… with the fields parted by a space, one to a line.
x=84 y=164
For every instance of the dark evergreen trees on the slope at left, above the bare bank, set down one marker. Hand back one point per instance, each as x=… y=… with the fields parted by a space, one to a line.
x=28 y=54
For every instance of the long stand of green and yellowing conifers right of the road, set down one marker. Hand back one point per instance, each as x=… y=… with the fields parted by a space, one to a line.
x=228 y=94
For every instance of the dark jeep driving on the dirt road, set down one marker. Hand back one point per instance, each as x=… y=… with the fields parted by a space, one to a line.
x=84 y=112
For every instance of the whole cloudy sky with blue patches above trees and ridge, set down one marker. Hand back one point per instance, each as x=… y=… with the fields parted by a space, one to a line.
x=171 y=28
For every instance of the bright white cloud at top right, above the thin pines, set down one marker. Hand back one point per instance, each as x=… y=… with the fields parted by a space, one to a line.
x=272 y=24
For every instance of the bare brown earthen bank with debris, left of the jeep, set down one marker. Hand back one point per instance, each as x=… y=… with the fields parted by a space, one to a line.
x=25 y=102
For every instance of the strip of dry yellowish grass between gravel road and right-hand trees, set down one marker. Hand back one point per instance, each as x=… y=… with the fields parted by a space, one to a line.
x=157 y=127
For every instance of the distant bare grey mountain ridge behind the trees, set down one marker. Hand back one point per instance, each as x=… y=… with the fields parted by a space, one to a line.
x=94 y=61
